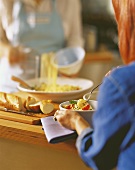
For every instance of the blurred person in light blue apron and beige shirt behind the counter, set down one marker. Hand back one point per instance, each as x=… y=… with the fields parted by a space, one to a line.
x=42 y=25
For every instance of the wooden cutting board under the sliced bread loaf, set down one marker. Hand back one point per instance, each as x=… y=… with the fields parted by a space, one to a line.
x=33 y=120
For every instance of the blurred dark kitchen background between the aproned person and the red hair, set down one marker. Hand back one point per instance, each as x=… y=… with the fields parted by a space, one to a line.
x=101 y=40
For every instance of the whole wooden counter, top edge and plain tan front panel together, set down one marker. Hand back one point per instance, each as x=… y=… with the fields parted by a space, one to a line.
x=24 y=142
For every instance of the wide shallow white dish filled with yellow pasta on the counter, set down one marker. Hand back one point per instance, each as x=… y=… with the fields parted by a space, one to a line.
x=62 y=89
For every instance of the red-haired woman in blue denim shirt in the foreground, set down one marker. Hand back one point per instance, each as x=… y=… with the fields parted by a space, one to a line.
x=111 y=141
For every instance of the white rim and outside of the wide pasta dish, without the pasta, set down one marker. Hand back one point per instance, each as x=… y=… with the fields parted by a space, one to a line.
x=85 y=85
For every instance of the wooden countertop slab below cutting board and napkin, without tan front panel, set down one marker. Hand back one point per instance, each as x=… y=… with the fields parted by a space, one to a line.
x=32 y=134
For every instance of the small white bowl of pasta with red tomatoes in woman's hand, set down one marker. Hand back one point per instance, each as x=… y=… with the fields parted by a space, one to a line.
x=83 y=107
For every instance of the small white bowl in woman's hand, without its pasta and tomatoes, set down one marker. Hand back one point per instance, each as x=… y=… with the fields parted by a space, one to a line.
x=86 y=114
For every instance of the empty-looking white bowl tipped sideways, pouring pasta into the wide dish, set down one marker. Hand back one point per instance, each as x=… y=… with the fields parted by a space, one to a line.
x=69 y=60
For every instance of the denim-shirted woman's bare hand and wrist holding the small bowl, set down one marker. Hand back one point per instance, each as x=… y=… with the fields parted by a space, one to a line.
x=71 y=120
